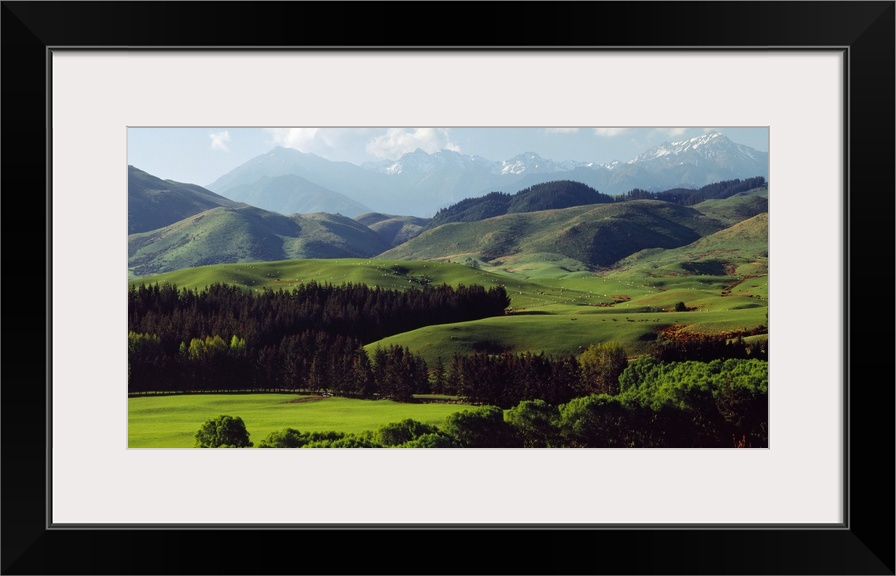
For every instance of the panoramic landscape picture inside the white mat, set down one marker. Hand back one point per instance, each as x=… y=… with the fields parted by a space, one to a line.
x=444 y=299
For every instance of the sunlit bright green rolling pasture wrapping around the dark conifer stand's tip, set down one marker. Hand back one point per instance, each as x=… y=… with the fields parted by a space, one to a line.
x=556 y=313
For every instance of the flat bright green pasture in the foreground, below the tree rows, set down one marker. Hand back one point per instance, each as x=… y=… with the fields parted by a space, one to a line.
x=172 y=421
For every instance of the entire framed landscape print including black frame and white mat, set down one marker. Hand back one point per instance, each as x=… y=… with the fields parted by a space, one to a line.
x=552 y=270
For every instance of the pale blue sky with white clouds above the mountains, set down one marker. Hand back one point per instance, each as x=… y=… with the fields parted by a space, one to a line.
x=201 y=155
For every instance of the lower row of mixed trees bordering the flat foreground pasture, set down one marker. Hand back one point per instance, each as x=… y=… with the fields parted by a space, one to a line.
x=318 y=361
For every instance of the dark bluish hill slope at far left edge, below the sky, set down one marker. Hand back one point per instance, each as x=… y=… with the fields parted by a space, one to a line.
x=154 y=203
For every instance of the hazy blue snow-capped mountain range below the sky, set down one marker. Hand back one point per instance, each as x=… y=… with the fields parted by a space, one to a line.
x=420 y=183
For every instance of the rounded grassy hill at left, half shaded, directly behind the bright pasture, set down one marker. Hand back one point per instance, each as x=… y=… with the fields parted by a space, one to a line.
x=248 y=234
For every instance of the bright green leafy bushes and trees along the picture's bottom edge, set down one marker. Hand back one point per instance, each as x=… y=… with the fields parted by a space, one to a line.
x=718 y=404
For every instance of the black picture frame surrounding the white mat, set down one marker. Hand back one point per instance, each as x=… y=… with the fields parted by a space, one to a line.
x=863 y=545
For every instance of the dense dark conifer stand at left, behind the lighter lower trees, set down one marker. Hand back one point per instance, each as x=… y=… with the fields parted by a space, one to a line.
x=178 y=315
